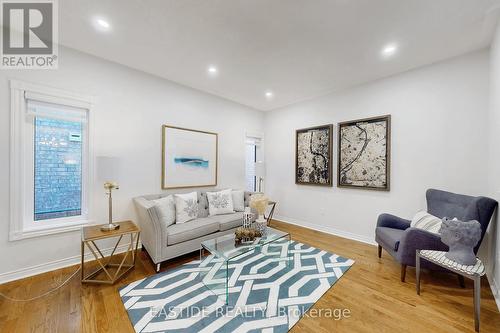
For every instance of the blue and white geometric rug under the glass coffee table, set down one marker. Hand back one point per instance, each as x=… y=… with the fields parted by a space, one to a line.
x=265 y=293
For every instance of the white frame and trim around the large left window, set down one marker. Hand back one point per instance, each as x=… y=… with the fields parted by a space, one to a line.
x=21 y=162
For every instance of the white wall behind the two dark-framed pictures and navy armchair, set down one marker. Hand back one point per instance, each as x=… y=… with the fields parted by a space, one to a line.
x=439 y=140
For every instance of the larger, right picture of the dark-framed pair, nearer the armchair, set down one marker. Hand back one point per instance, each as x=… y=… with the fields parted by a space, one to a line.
x=365 y=153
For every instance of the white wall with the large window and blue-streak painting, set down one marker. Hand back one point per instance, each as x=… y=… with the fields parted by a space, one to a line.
x=131 y=107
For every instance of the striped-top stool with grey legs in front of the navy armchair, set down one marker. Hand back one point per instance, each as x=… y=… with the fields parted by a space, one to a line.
x=473 y=272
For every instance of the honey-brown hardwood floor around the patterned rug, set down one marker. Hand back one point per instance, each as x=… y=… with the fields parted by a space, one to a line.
x=371 y=290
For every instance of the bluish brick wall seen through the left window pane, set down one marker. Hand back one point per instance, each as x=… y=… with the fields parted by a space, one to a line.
x=58 y=168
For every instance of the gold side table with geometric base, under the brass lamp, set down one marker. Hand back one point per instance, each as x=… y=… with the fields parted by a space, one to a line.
x=91 y=234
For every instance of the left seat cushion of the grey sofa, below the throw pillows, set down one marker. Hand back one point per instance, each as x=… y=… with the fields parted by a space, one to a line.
x=178 y=233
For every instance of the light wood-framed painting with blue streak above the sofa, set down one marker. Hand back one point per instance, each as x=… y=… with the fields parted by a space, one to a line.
x=189 y=158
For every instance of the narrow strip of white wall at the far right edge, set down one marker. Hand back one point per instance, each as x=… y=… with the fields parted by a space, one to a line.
x=492 y=253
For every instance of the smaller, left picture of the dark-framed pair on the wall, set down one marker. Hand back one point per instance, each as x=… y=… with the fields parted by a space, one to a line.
x=313 y=156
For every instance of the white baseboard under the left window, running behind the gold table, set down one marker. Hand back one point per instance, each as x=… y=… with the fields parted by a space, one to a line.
x=56 y=264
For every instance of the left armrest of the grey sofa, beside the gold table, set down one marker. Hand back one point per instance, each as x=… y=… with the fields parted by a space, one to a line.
x=153 y=233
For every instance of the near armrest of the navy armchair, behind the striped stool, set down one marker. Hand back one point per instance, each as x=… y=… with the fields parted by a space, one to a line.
x=415 y=239
